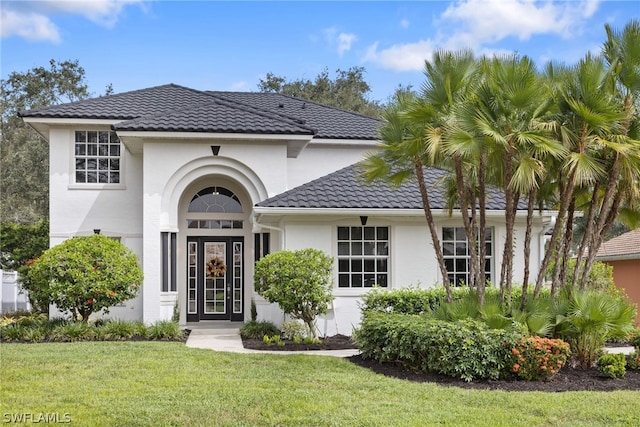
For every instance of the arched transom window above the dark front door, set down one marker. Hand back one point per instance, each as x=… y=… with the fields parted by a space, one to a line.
x=215 y=200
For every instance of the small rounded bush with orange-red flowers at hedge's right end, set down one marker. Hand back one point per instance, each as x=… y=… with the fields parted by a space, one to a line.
x=535 y=358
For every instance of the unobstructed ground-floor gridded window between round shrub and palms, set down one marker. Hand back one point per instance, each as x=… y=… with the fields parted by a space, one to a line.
x=363 y=257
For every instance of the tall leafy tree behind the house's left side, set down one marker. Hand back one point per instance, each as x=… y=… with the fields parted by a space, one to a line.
x=24 y=187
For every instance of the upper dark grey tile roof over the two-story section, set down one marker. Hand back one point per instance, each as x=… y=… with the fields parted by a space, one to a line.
x=177 y=108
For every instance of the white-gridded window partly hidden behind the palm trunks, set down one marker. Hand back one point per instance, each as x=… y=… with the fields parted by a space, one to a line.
x=456 y=254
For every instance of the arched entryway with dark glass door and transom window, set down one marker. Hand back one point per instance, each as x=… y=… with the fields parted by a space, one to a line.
x=215 y=214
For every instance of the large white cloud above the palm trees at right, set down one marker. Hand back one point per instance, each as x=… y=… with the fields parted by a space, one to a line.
x=476 y=24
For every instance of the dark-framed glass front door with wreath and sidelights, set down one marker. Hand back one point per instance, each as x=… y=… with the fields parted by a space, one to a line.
x=215 y=273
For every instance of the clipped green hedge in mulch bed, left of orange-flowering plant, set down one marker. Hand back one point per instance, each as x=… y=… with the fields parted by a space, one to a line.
x=465 y=349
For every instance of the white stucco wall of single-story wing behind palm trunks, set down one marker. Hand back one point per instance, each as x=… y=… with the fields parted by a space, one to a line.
x=412 y=259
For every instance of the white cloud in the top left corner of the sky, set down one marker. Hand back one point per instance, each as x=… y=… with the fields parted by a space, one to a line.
x=33 y=20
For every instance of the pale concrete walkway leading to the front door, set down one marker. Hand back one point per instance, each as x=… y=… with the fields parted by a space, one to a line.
x=227 y=338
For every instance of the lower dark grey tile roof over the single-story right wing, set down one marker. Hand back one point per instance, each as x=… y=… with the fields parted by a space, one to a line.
x=345 y=189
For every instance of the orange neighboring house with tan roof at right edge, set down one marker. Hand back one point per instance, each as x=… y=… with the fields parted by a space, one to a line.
x=623 y=254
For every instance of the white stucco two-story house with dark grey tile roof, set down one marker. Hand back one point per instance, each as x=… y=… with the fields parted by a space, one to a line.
x=194 y=180
